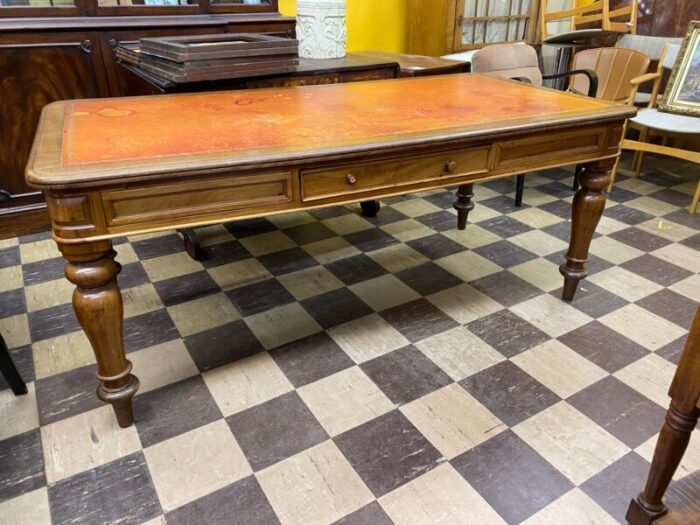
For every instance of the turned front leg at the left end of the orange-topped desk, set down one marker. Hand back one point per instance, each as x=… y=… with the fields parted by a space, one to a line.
x=98 y=306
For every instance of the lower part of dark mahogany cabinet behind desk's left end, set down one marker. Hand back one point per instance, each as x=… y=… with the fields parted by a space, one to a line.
x=43 y=60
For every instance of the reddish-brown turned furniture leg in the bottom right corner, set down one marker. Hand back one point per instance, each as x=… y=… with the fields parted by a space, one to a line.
x=681 y=418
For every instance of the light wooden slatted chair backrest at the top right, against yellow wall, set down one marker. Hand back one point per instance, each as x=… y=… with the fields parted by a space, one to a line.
x=596 y=12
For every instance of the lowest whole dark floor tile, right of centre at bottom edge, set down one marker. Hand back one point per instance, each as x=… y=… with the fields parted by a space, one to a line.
x=514 y=479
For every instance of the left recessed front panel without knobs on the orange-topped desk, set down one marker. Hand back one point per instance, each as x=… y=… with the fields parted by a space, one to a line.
x=136 y=205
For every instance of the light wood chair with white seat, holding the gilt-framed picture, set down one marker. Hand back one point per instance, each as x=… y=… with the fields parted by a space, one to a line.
x=650 y=121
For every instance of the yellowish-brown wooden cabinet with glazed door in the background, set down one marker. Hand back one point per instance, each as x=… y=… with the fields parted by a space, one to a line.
x=440 y=27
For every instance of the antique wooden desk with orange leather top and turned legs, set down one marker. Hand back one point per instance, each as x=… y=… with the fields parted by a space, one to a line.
x=111 y=167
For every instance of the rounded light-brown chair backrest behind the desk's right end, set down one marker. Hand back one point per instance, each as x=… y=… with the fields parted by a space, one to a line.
x=615 y=68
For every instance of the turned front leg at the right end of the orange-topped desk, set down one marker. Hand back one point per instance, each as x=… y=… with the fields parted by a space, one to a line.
x=586 y=211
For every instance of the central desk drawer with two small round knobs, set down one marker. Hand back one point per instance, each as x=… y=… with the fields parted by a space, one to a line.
x=320 y=184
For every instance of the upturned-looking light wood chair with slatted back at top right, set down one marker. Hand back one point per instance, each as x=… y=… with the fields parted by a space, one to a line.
x=598 y=11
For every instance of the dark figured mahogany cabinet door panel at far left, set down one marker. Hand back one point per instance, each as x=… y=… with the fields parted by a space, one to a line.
x=32 y=75
